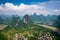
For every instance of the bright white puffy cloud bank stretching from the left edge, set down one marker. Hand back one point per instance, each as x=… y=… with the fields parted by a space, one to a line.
x=22 y=9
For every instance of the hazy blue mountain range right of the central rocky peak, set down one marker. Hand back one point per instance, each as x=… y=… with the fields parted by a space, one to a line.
x=49 y=19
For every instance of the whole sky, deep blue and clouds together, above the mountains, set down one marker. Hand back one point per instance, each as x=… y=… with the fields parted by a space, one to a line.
x=22 y=7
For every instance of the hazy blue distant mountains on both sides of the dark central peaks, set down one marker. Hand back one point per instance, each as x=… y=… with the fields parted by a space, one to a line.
x=49 y=19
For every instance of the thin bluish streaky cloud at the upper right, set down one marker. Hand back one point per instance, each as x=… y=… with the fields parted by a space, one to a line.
x=52 y=6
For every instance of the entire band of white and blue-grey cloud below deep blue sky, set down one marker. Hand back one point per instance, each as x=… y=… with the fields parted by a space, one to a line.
x=39 y=8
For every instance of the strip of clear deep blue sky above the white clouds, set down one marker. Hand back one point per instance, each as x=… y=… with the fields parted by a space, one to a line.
x=17 y=2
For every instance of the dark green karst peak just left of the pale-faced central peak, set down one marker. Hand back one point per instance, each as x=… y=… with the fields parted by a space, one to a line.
x=15 y=21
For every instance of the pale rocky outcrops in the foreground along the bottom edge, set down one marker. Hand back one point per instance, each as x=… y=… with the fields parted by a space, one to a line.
x=22 y=37
